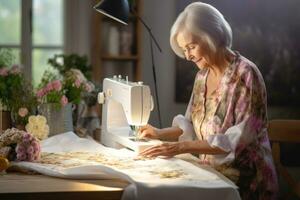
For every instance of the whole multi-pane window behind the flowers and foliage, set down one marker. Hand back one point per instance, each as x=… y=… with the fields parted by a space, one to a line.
x=33 y=29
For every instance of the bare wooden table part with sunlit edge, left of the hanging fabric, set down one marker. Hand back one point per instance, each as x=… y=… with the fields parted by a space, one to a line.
x=22 y=186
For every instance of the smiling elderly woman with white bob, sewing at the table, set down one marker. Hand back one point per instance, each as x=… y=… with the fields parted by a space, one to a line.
x=226 y=119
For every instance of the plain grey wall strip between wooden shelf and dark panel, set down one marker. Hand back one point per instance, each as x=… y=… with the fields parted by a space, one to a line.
x=160 y=15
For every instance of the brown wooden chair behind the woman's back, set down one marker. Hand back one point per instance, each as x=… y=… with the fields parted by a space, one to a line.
x=284 y=131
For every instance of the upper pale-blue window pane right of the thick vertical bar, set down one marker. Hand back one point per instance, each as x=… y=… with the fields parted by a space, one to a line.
x=47 y=22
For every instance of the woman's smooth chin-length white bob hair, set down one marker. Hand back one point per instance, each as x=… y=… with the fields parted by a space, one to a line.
x=207 y=24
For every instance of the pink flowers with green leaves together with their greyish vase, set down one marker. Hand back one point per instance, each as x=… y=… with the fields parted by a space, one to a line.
x=57 y=98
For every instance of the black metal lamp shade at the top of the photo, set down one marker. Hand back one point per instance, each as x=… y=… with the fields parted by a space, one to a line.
x=115 y=9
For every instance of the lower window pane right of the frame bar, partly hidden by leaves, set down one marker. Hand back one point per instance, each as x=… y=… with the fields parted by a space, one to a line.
x=40 y=63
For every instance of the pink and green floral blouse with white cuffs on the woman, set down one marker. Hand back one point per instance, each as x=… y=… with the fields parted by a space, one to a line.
x=234 y=119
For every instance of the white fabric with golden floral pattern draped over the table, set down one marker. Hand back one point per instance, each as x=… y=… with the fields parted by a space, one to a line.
x=196 y=182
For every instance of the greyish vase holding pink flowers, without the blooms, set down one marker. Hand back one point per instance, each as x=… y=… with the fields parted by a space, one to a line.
x=59 y=118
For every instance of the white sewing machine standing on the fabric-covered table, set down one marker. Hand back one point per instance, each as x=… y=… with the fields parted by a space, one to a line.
x=125 y=104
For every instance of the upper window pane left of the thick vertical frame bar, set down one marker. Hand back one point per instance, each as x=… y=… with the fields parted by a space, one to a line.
x=10 y=22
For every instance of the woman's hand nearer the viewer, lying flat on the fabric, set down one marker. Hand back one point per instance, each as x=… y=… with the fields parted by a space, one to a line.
x=167 y=149
